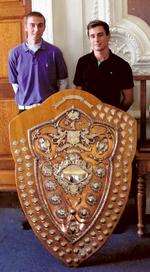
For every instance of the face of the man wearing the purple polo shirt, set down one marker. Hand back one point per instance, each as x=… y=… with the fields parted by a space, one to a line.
x=35 y=27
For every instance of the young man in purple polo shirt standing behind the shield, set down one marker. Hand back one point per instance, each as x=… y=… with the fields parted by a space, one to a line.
x=36 y=68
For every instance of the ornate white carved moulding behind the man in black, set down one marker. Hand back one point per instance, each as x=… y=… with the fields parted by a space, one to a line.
x=129 y=34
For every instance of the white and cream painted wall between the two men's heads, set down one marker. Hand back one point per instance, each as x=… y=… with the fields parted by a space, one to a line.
x=64 y=20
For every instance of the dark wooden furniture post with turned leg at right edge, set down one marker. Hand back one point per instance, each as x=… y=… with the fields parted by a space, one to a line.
x=142 y=157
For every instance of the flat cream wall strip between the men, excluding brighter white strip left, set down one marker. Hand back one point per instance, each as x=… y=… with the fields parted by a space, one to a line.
x=68 y=31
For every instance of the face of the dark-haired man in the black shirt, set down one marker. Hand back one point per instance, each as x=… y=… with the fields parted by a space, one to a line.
x=98 y=38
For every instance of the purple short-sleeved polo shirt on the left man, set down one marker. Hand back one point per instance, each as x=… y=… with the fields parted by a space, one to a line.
x=36 y=74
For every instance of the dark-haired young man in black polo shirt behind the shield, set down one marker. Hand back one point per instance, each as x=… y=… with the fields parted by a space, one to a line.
x=103 y=73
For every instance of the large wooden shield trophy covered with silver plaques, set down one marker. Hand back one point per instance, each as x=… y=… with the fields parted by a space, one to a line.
x=73 y=157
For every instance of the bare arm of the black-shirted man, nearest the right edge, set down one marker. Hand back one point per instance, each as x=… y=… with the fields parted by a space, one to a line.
x=127 y=99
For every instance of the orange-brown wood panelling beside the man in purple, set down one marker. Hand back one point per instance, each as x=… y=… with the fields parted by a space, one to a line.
x=11 y=34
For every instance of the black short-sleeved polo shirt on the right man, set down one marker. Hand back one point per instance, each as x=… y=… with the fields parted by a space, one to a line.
x=107 y=80
